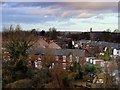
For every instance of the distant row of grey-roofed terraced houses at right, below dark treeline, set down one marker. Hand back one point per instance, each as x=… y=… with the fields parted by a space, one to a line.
x=114 y=47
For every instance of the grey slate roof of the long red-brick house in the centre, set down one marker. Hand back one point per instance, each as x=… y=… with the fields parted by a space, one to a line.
x=62 y=52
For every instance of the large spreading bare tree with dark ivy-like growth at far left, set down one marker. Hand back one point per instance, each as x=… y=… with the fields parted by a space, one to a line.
x=16 y=43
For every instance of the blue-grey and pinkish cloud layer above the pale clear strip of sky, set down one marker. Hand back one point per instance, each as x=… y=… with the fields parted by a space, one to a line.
x=44 y=11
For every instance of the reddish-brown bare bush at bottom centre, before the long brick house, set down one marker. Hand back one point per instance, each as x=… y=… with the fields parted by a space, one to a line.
x=61 y=79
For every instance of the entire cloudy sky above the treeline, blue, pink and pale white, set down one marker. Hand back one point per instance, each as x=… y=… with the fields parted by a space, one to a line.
x=64 y=16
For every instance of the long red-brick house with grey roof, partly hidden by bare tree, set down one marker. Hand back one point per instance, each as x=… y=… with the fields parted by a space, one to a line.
x=64 y=57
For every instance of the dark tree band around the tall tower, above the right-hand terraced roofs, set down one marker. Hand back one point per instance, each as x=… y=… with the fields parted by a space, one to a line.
x=97 y=36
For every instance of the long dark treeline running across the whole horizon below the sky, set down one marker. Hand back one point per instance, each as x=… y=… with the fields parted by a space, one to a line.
x=53 y=34
